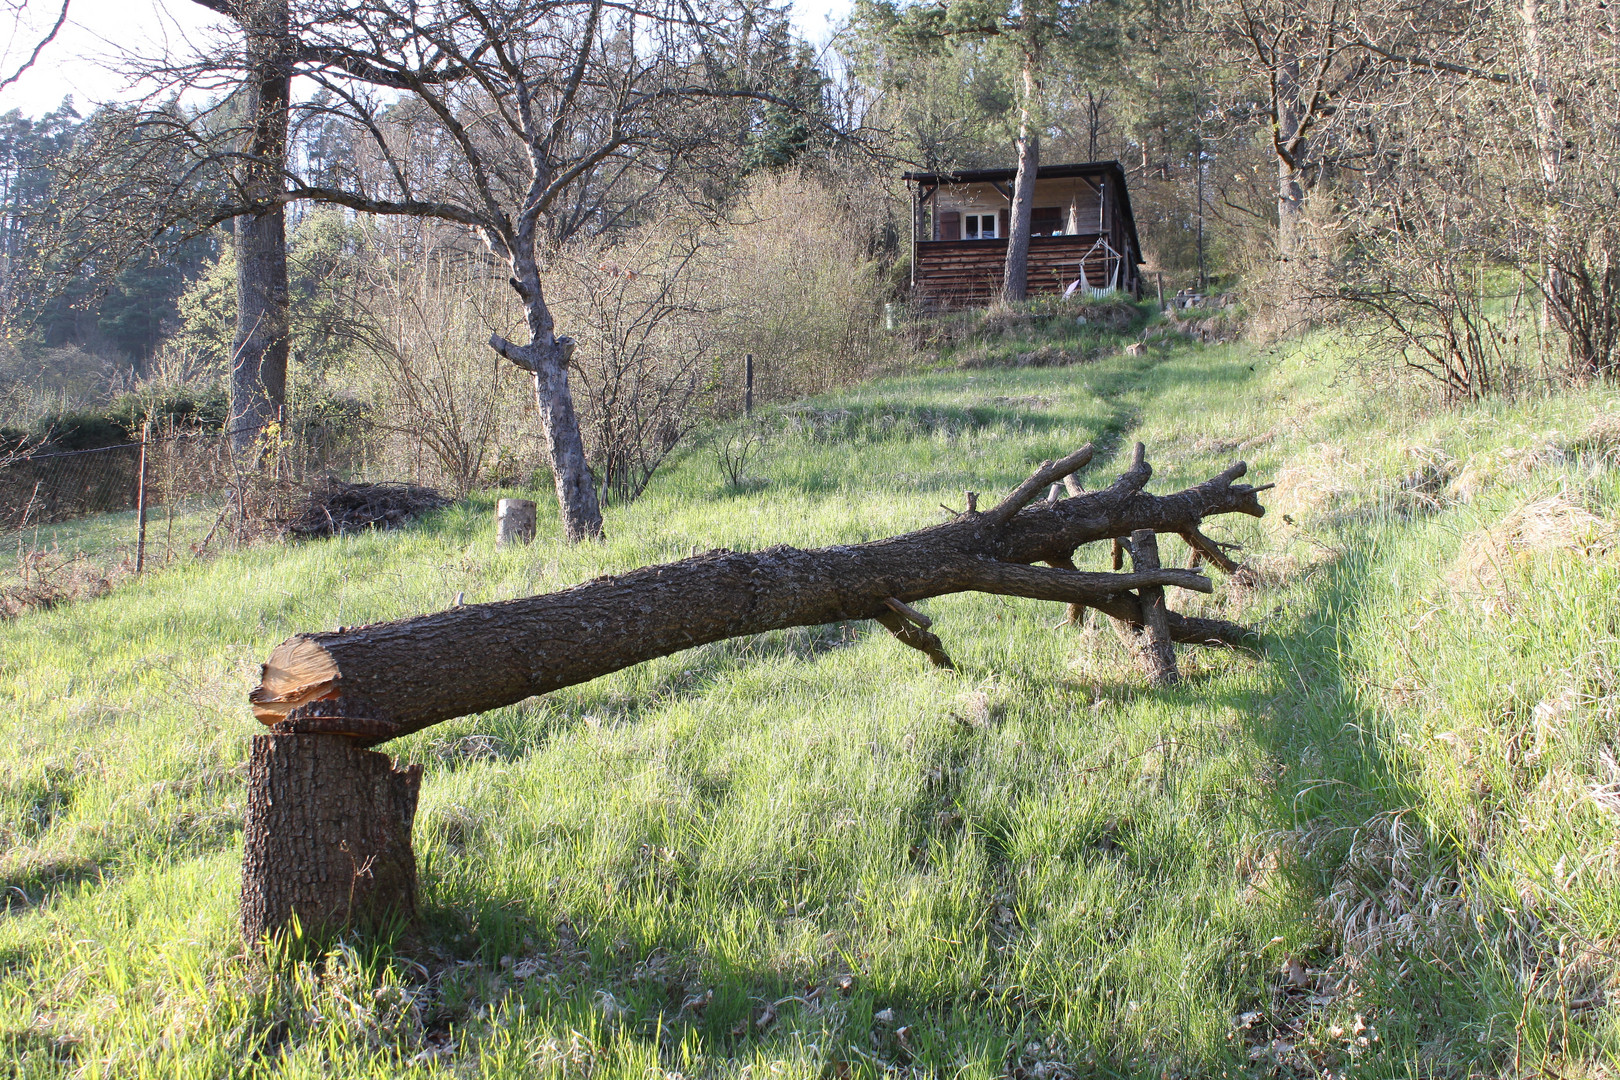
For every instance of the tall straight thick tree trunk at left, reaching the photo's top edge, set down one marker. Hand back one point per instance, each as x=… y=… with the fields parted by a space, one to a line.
x=258 y=365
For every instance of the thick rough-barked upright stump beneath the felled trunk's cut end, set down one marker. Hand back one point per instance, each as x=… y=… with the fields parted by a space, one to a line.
x=326 y=836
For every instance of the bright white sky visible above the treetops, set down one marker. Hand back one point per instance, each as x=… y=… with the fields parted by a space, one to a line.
x=80 y=61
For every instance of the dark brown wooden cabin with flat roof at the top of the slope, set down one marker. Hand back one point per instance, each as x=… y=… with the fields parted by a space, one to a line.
x=1081 y=231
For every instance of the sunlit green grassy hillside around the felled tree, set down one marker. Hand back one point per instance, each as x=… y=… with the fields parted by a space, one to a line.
x=1388 y=848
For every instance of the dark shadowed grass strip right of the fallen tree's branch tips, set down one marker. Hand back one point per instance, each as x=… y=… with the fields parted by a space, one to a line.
x=1334 y=844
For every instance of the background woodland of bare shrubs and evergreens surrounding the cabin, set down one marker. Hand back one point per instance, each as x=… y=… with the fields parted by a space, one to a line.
x=1436 y=179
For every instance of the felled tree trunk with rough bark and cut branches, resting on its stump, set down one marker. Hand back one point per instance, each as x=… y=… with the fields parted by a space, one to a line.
x=417 y=673
